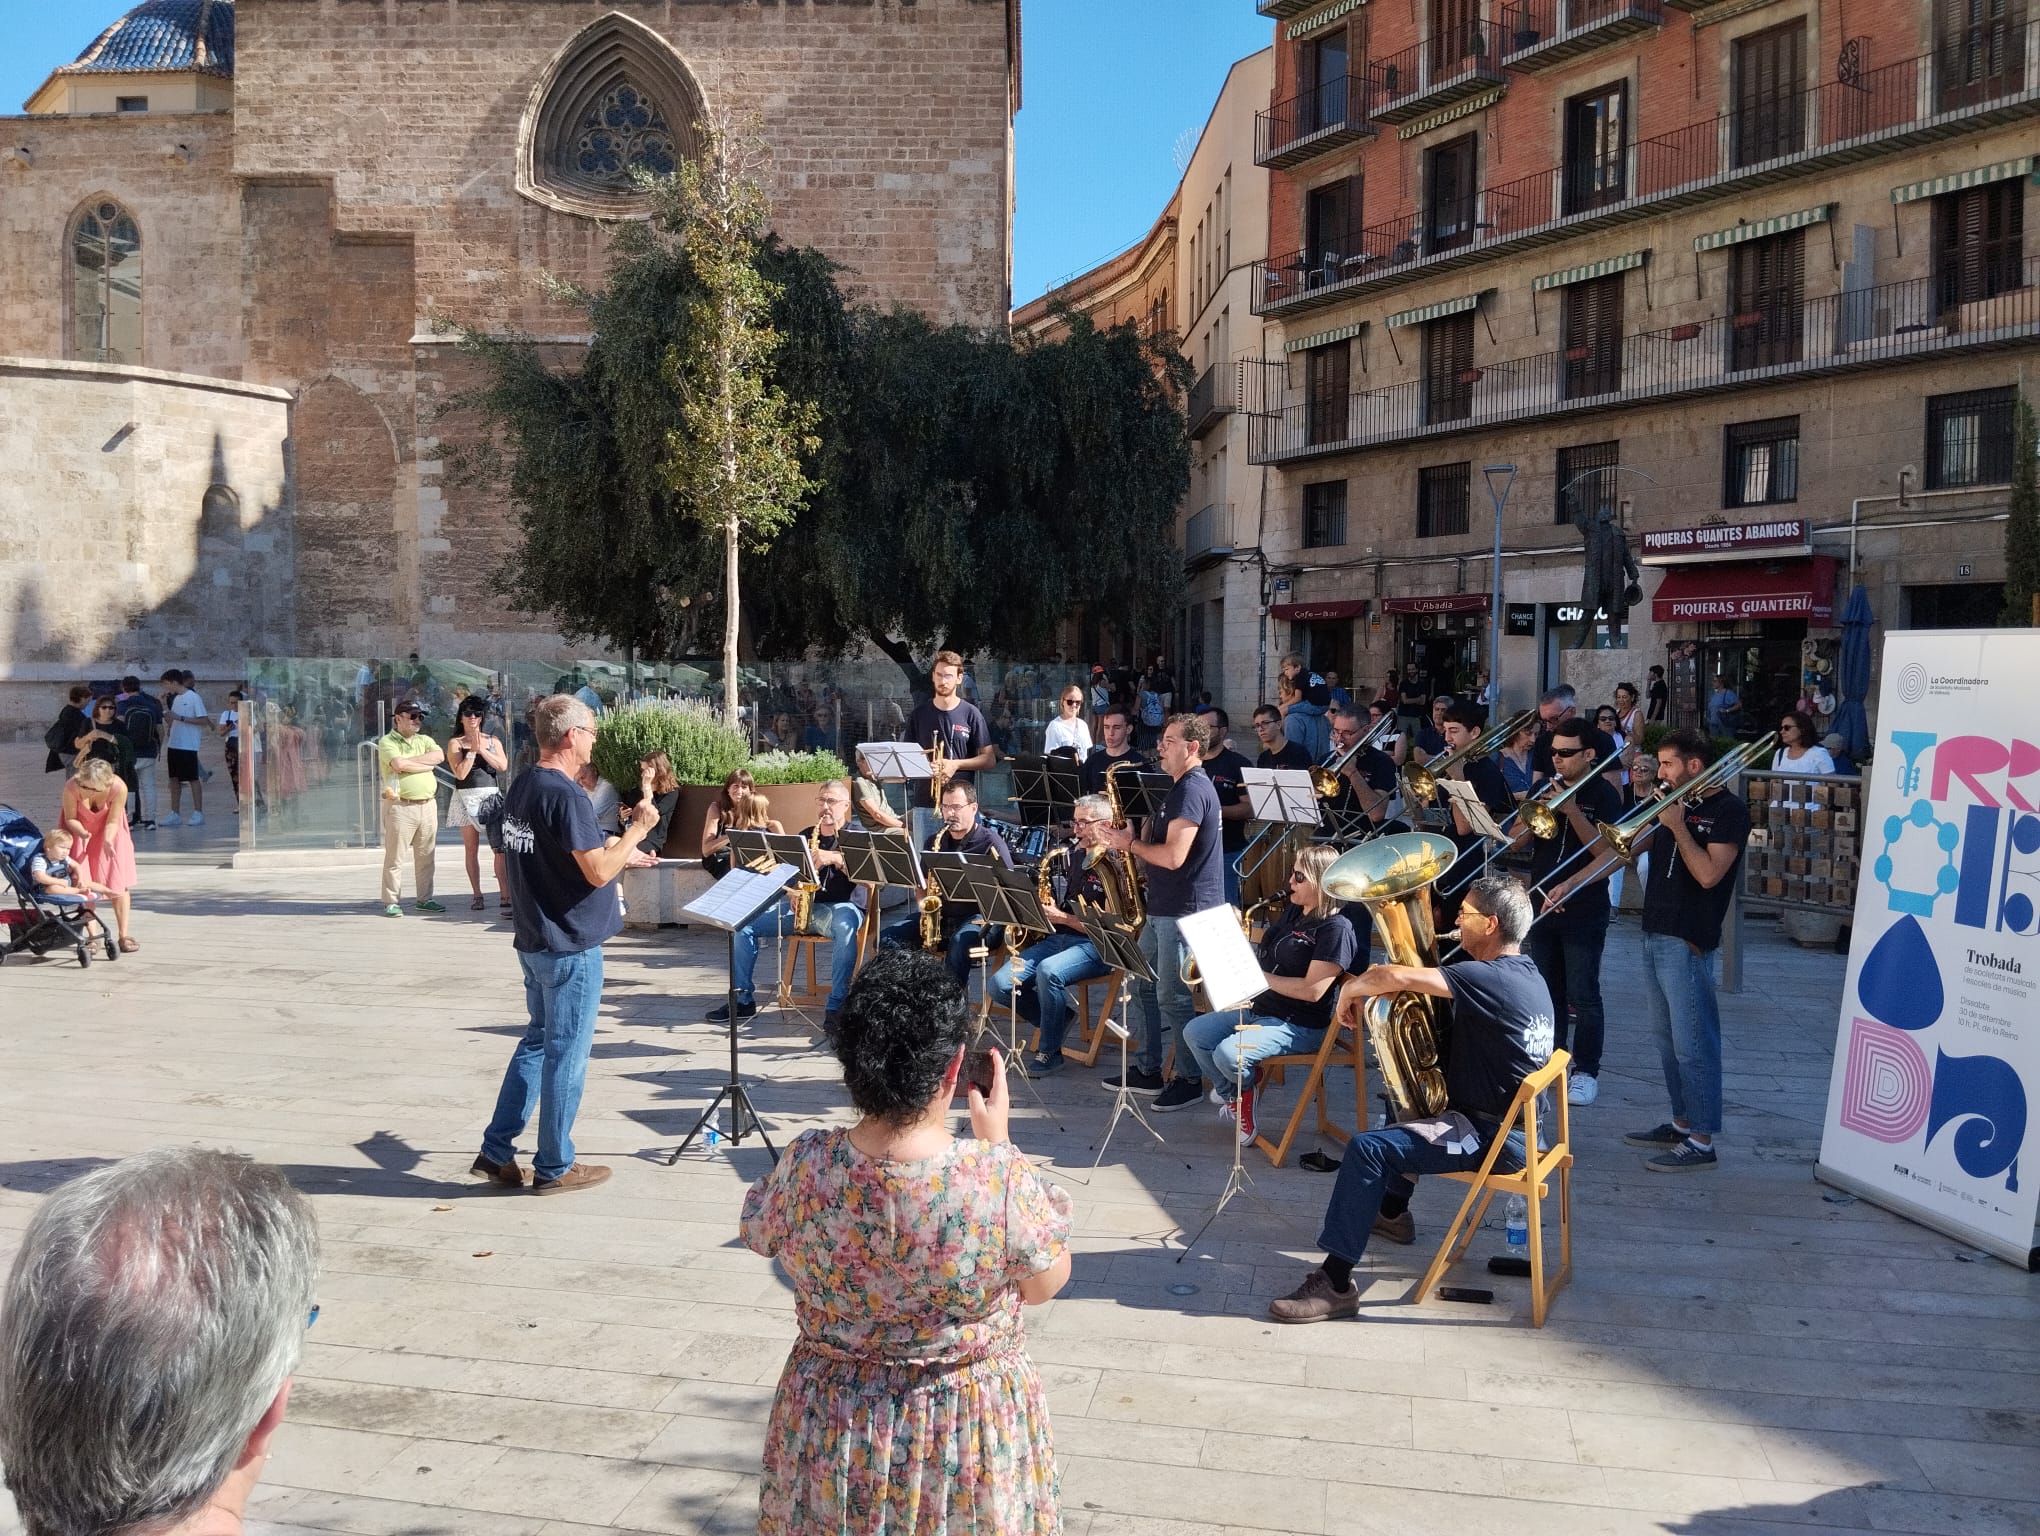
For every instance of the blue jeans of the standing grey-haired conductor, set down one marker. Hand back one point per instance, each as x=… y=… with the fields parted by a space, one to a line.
x=550 y=1064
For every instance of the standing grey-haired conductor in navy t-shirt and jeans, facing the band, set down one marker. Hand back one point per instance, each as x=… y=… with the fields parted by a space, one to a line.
x=562 y=876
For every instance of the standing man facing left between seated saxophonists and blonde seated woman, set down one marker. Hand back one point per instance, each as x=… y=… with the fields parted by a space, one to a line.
x=1184 y=864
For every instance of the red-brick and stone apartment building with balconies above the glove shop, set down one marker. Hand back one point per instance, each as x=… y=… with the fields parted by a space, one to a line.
x=1749 y=274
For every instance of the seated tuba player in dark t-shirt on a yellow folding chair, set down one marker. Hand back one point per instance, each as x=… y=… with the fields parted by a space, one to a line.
x=1502 y=1031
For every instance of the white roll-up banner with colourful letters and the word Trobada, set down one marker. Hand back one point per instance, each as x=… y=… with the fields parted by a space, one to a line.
x=1939 y=1049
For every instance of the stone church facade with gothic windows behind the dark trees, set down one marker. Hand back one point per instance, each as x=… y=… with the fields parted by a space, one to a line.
x=232 y=238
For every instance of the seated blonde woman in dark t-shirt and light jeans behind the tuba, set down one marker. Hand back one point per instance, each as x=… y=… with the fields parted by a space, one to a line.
x=1303 y=958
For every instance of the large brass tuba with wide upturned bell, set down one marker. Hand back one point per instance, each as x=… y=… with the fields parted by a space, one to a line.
x=1392 y=878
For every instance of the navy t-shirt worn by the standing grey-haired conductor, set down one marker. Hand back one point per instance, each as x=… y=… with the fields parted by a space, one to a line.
x=552 y=905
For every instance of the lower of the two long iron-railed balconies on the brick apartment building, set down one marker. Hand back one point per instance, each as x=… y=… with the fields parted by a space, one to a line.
x=1894 y=323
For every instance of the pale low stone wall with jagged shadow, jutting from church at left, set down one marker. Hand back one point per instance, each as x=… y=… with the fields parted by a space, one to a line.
x=146 y=523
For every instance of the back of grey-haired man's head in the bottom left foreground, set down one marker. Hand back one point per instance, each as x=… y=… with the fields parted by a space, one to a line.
x=152 y=1323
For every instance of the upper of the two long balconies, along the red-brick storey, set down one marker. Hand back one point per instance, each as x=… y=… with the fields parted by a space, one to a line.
x=1839 y=121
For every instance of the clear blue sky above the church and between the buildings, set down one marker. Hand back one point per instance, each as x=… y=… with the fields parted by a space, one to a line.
x=1113 y=91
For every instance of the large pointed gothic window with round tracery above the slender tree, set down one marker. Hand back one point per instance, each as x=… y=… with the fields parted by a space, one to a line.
x=613 y=103
